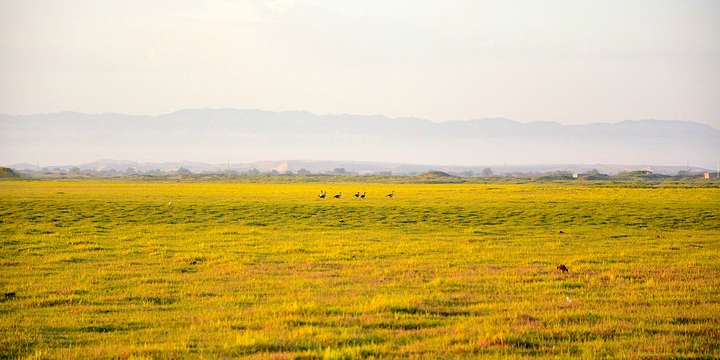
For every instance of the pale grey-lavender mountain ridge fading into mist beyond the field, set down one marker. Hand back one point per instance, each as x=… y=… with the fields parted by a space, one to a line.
x=218 y=136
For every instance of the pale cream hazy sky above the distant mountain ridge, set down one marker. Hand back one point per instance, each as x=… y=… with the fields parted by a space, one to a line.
x=573 y=61
